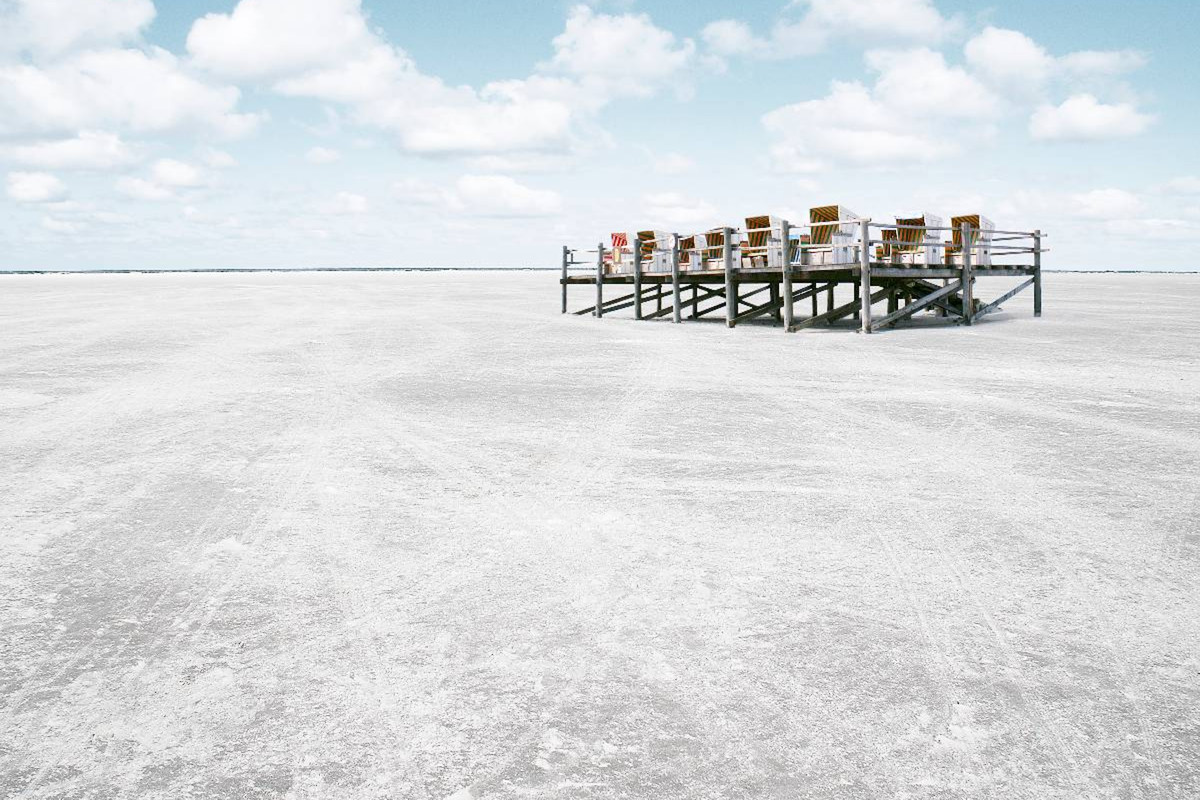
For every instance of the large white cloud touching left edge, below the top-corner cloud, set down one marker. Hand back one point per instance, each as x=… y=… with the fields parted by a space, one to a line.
x=136 y=91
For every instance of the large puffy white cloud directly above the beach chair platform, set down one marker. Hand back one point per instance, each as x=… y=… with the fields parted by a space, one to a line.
x=902 y=121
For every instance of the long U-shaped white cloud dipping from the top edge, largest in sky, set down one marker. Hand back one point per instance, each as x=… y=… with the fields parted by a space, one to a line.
x=325 y=50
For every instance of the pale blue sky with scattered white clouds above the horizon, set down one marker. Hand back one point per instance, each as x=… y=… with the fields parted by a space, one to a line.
x=303 y=134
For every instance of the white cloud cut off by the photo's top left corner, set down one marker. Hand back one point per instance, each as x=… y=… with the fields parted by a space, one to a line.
x=51 y=28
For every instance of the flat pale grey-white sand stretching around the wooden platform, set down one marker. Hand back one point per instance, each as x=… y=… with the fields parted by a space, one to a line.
x=363 y=537
